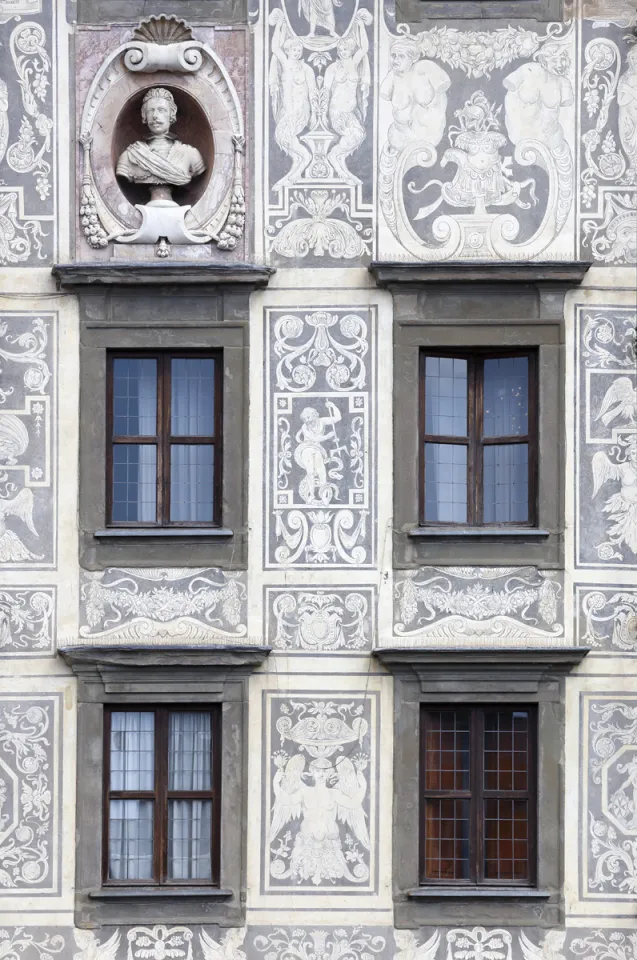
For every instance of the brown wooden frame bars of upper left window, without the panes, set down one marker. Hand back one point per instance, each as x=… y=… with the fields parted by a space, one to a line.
x=162 y=440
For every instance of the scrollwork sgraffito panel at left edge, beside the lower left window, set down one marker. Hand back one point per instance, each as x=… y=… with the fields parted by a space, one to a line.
x=29 y=818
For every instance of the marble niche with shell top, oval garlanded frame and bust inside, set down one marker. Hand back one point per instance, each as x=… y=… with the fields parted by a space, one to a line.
x=179 y=181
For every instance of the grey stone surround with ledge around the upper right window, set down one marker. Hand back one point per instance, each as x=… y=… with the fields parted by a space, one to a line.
x=456 y=305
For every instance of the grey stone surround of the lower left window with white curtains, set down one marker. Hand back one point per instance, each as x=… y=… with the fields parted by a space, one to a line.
x=120 y=677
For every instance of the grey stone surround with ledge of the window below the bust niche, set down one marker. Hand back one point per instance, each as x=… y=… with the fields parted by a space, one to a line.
x=151 y=307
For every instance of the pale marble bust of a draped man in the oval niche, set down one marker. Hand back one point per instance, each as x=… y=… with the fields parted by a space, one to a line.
x=161 y=160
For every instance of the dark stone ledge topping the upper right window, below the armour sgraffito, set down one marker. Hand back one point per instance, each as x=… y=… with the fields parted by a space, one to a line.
x=389 y=273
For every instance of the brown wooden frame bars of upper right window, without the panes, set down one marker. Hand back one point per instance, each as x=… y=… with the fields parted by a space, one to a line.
x=475 y=441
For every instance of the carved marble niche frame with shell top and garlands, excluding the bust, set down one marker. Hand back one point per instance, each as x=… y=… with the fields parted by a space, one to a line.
x=161 y=52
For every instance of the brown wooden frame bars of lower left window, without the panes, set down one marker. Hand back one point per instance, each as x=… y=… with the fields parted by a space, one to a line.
x=160 y=796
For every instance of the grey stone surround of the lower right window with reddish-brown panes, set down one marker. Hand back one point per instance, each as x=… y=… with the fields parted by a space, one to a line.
x=474 y=676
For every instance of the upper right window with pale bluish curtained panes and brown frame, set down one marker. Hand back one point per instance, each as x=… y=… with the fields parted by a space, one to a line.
x=478 y=446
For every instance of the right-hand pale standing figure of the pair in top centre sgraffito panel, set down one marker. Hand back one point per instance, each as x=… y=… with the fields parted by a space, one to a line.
x=347 y=83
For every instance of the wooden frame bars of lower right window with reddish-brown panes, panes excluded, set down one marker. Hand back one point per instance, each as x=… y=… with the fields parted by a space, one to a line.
x=476 y=794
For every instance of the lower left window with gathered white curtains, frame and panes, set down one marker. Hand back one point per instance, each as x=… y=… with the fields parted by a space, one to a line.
x=162 y=796
